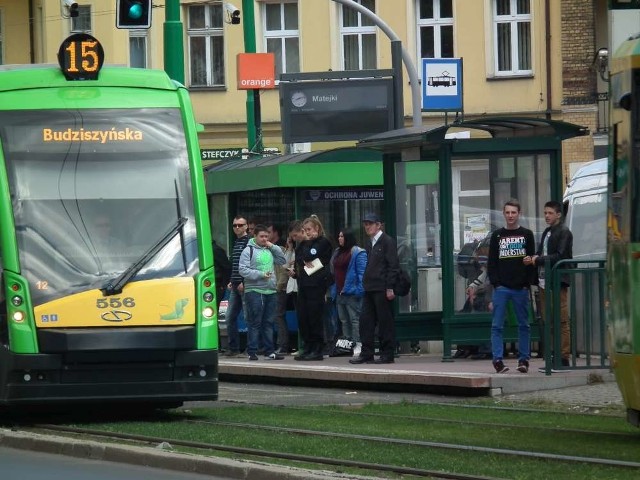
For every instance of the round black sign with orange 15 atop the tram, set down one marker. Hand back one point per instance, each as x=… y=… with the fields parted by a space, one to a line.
x=80 y=57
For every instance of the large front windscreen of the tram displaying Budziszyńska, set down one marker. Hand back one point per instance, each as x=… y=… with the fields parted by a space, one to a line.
x=93 y=191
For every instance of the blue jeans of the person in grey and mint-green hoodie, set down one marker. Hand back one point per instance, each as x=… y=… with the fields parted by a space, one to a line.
x=261 y=312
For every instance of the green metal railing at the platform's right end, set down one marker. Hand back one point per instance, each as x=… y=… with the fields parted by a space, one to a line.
x=585 y=298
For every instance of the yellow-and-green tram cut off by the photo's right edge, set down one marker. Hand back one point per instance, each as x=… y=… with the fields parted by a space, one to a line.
x=623 y=245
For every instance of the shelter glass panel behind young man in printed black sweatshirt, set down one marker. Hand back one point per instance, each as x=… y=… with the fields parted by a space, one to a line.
x=480 y=187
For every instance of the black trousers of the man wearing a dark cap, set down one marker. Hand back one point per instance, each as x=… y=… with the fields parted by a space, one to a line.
x=377 y=311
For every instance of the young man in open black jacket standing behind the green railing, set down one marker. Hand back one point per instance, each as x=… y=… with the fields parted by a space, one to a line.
x=556 y=244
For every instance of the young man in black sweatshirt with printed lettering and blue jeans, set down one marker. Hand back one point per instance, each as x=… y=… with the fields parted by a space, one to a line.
x=511 y=280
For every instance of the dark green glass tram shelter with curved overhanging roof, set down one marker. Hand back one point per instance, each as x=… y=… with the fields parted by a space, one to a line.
x=442 y=224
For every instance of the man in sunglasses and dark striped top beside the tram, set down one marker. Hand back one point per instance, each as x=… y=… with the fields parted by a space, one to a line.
x=236 y=287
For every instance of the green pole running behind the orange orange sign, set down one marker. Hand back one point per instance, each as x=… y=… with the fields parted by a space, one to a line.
x=254 y=123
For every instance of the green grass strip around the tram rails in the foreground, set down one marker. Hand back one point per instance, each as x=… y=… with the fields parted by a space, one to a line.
x=554 y=432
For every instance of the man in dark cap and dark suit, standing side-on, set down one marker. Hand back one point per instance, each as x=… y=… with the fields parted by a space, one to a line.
x=379 y=278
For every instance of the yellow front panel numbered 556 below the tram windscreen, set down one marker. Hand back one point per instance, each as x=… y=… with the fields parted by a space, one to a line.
x=163 y=302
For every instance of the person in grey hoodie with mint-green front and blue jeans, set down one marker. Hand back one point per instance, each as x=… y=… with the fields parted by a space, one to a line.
x=257 y=264
